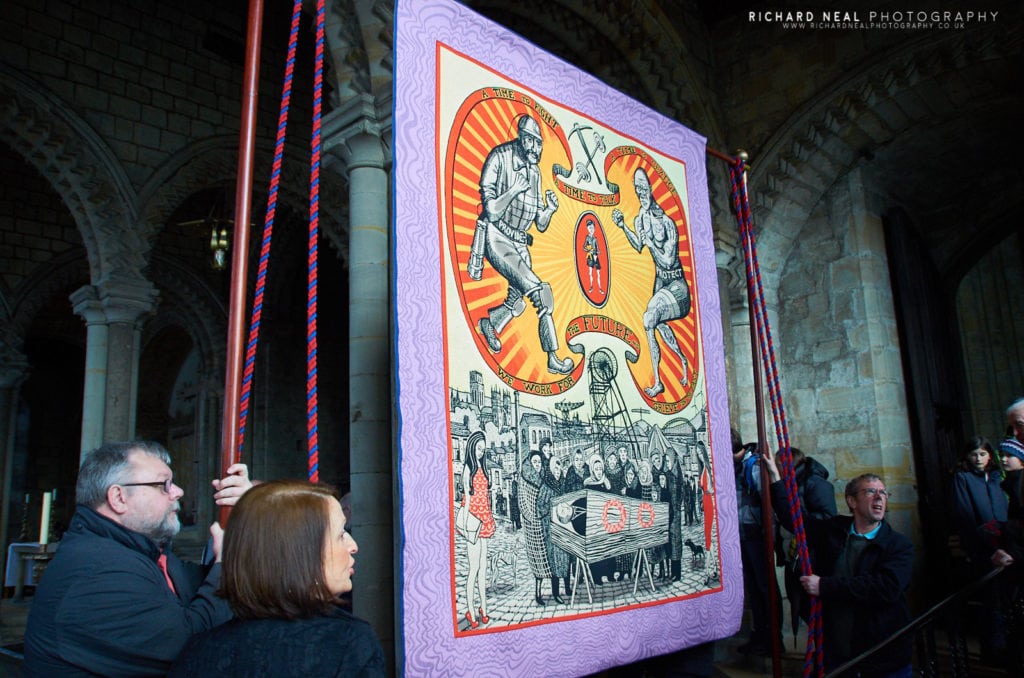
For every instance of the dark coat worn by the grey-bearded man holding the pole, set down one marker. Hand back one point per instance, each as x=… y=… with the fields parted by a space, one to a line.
x=104 y=607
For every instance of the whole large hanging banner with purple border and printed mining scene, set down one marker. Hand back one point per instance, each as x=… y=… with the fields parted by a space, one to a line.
x=567 y=491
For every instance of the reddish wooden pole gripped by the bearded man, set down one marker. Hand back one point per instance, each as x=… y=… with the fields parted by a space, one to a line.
x=230 y=453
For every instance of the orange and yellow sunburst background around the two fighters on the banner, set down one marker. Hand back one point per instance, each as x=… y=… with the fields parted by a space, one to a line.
x=487 y=119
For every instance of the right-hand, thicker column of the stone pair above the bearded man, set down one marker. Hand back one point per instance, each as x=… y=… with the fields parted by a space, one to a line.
x=124 y=304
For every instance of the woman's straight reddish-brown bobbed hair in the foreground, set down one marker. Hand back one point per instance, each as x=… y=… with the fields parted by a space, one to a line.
x=274 y=552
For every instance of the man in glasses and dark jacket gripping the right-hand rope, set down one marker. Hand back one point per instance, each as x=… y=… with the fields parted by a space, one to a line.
x=864 y=570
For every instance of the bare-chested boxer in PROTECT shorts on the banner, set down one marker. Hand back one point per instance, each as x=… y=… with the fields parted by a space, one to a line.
x=671 y=301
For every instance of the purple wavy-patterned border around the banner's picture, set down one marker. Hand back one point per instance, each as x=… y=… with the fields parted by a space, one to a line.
x=571 y=648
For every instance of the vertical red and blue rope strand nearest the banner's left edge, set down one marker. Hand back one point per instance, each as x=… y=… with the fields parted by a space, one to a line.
x=313 y=438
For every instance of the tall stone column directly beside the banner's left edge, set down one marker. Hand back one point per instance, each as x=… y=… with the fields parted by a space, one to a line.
x=355 y=136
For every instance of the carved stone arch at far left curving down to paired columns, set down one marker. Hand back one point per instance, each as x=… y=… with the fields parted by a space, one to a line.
x=82 y=171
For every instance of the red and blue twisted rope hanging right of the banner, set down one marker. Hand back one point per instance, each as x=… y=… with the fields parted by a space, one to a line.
x=814 y=658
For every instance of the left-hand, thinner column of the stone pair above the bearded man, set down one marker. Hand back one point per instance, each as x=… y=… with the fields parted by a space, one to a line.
x=87 y=305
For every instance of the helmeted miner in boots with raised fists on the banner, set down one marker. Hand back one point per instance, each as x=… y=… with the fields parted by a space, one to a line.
x=510 y=191
